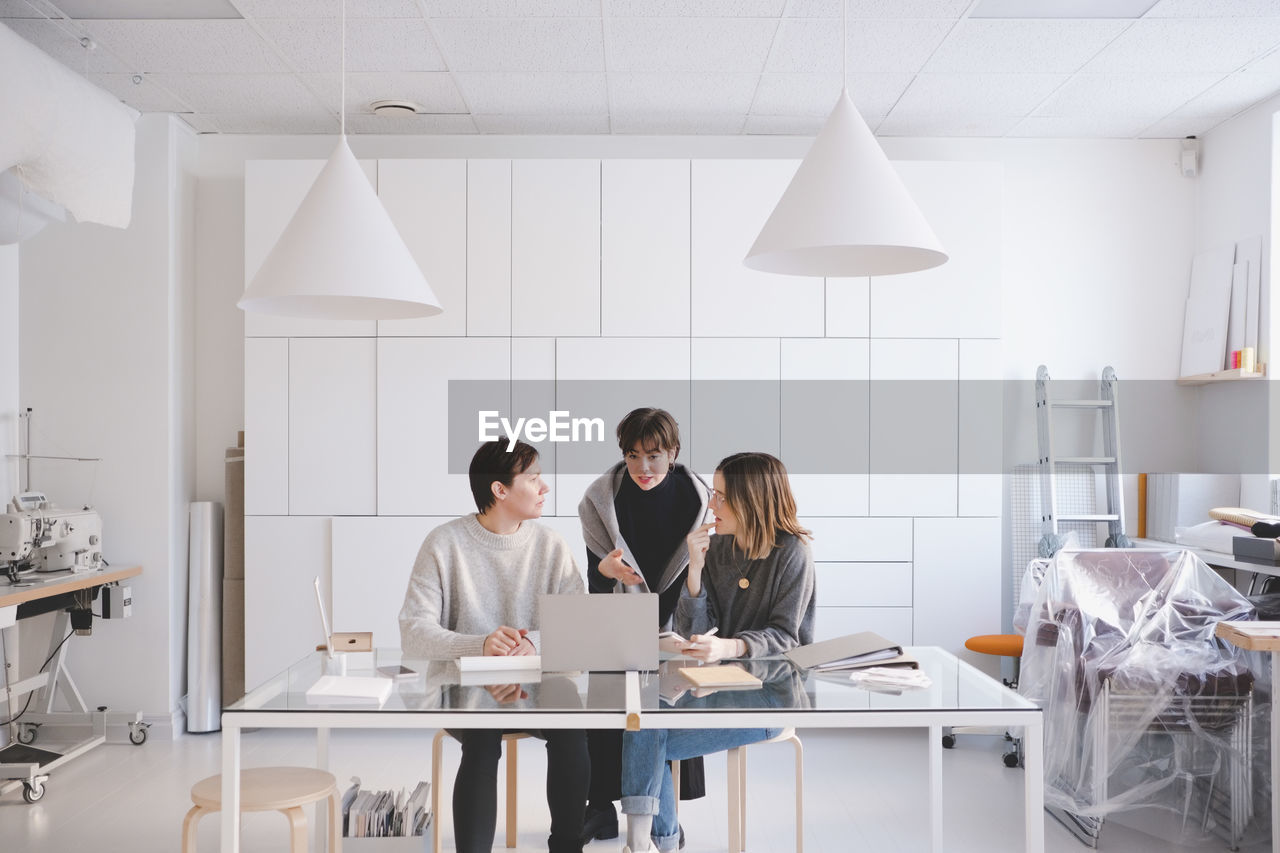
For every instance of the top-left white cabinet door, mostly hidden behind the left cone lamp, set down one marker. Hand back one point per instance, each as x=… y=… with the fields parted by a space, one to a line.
x=273 y=191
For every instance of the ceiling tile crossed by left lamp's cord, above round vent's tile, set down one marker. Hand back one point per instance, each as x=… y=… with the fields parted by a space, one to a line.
x=373 y=44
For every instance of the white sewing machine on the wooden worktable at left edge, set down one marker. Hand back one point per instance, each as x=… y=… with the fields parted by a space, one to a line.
x=36 y=536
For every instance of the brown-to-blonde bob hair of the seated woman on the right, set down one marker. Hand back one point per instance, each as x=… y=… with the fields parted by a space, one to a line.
x=760 y=495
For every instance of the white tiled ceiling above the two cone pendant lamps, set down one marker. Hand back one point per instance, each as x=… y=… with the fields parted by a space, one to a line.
x=991 y=69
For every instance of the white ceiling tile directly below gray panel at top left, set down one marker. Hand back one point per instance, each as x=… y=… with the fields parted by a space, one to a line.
x=188 y=47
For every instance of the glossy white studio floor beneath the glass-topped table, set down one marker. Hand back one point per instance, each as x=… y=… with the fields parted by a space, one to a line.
x=865 y=792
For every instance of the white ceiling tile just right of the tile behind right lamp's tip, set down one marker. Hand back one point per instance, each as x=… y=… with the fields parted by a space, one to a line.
x=976 y=95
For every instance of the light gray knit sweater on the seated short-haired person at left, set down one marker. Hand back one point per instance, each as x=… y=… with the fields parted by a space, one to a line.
x=468 y=582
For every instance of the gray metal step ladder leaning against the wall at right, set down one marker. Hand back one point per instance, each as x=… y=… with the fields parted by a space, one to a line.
x=1107 y=407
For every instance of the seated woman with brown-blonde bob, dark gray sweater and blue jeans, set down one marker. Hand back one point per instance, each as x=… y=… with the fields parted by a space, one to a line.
x=753 y=582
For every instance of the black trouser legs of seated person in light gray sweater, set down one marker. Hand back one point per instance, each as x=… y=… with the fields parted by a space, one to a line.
x=476 y=791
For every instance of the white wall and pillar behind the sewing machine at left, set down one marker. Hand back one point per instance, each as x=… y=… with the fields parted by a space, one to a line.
x=111 y=314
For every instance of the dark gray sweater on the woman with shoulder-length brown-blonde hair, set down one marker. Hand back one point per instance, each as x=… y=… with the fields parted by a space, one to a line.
x=772 y=615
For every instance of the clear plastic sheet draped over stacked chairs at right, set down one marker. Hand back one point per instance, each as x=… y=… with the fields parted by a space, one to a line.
x=1144 y=706
